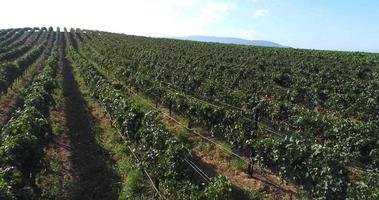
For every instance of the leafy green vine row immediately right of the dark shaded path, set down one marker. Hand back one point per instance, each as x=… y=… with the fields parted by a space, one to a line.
x=160 y=153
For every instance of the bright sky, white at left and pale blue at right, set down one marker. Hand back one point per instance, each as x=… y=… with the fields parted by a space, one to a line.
x=350 y=25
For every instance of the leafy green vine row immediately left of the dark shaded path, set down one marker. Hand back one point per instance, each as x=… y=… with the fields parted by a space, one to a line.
x=22 y=138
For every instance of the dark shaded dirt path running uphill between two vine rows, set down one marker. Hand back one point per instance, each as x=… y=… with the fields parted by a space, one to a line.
x=94 y=179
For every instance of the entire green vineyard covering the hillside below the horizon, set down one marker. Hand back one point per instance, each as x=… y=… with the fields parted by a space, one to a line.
x=95 y=115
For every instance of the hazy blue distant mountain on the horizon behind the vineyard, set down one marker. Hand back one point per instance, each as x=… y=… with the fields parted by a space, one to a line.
x=230 y=40
